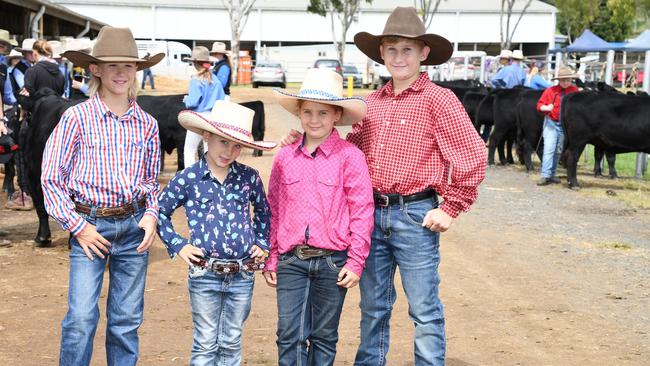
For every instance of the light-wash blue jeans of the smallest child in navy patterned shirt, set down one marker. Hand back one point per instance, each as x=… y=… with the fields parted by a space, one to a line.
x=220 y=305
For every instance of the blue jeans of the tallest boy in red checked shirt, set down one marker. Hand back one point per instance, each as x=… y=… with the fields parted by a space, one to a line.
x=399 y=240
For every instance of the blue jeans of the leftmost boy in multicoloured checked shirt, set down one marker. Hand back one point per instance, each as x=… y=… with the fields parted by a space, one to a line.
x=125 y=302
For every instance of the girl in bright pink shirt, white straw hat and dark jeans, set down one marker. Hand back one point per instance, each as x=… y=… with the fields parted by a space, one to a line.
x=321 y=219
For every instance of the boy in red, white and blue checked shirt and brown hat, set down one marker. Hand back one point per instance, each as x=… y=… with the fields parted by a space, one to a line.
x=99 y=179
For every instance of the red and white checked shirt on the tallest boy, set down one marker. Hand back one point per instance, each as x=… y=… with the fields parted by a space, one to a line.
x=414 y=141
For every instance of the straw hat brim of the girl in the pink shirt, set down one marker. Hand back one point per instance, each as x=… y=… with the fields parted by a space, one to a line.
x=354 y=109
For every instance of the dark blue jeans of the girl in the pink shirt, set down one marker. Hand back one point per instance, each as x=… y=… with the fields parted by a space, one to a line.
x=309 y=309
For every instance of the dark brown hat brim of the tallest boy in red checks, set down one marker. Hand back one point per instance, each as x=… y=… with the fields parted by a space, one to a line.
x=441 y=48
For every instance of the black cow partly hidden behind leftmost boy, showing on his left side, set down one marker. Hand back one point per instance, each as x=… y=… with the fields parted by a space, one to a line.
x=46 y=113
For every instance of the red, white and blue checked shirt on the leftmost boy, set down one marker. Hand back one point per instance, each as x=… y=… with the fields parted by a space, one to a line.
x=101 y=159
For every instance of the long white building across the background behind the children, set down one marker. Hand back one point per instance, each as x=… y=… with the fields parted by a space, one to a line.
x=469 y=24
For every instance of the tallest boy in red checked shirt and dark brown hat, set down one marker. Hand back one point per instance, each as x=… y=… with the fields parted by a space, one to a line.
x=419 y=143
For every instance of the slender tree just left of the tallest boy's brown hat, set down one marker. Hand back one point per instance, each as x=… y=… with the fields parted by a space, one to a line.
x=343 y=10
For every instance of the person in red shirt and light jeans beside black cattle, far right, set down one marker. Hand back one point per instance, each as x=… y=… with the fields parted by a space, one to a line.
x=553 y=133
